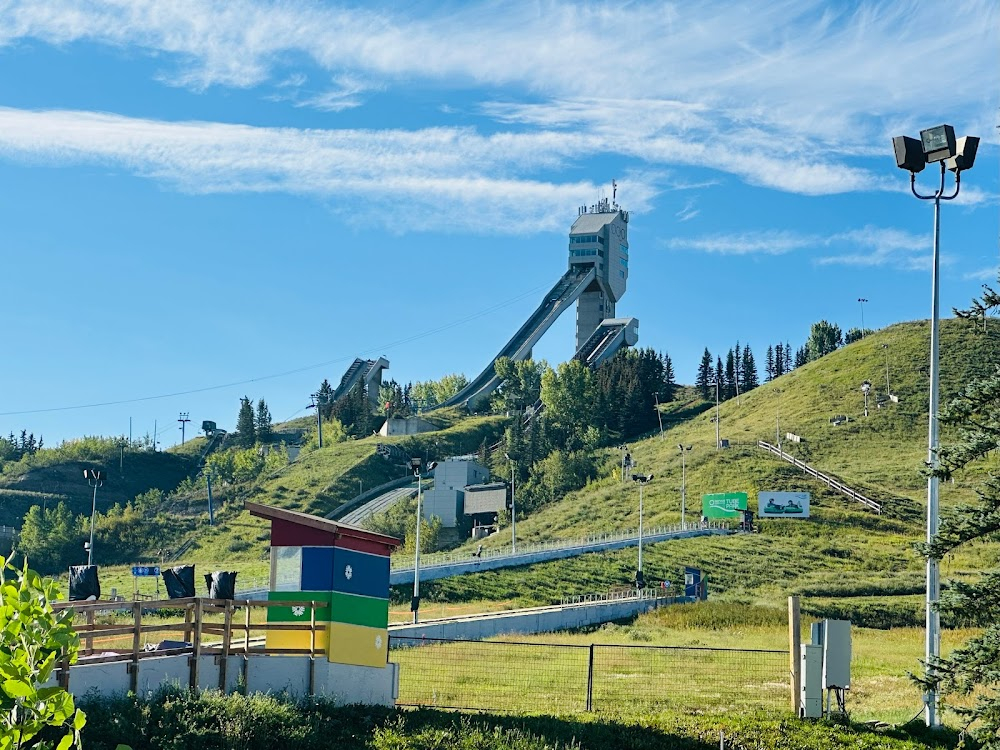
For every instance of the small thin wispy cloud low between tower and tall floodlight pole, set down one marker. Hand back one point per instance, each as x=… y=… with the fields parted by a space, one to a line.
x=869 y=246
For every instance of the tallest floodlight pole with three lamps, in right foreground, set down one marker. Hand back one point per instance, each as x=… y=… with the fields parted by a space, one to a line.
x=935 y=145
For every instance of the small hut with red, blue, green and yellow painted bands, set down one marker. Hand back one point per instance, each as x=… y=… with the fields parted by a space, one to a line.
x=315 y=559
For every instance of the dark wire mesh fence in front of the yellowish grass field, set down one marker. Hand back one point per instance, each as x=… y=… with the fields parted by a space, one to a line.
x=553 y=678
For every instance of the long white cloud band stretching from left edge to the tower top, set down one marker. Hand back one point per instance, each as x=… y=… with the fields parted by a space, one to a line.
x=394 y=174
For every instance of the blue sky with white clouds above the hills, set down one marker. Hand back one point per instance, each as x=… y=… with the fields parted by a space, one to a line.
x=218 y=199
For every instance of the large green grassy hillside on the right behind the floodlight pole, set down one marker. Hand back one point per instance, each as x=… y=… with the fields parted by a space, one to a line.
x=838 y=558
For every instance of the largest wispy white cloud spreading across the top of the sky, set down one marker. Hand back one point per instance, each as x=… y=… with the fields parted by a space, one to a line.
x=787 y=95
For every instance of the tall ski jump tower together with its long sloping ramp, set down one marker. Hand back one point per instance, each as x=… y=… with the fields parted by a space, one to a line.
x=597 y=276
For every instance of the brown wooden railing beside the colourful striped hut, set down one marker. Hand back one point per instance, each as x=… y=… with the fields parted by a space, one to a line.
x=200 y=634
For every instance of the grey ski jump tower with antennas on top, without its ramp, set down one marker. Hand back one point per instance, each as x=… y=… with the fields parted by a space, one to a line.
x=599 y=238
